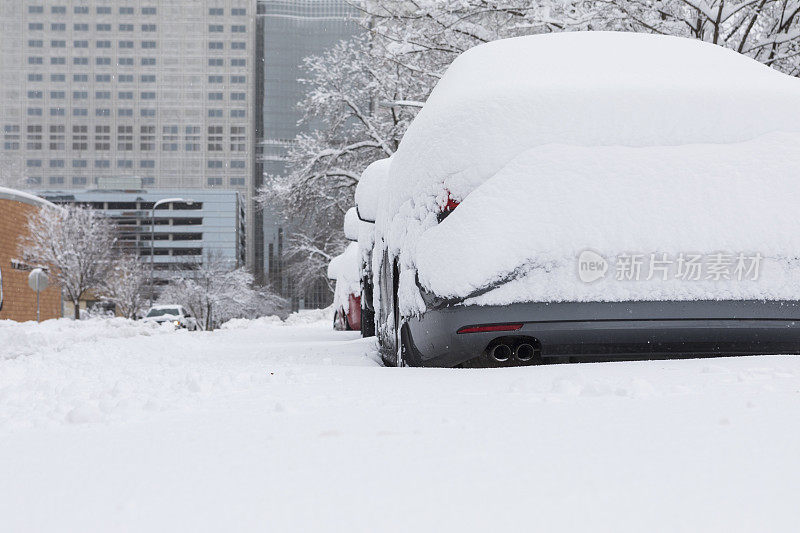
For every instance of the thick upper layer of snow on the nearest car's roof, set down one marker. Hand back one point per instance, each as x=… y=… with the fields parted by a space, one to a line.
x=584 y=88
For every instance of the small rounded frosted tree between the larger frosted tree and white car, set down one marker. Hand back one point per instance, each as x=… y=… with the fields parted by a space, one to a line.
x=127 y=286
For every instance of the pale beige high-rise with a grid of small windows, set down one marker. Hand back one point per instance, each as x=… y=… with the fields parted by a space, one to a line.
x=164 y=90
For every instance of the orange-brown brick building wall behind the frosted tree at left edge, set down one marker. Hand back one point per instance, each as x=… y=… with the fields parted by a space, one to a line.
x=19 y=301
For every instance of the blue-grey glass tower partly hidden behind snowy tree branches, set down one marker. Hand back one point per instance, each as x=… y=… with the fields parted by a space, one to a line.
x=289 y=31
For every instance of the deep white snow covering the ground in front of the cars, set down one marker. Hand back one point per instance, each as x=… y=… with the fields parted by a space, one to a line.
x=113 y=426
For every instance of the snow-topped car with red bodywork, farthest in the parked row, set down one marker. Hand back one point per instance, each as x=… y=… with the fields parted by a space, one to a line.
x=343 y=270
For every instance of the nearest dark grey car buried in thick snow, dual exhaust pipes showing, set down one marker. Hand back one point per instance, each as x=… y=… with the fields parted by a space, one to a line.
x=593 y=194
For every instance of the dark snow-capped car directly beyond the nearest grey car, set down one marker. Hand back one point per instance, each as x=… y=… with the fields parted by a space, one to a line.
x=367 y=195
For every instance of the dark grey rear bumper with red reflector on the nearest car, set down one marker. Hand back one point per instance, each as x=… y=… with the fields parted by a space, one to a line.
x=613 y=330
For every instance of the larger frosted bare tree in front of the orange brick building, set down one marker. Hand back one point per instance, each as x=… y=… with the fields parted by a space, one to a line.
x=75 y=244
